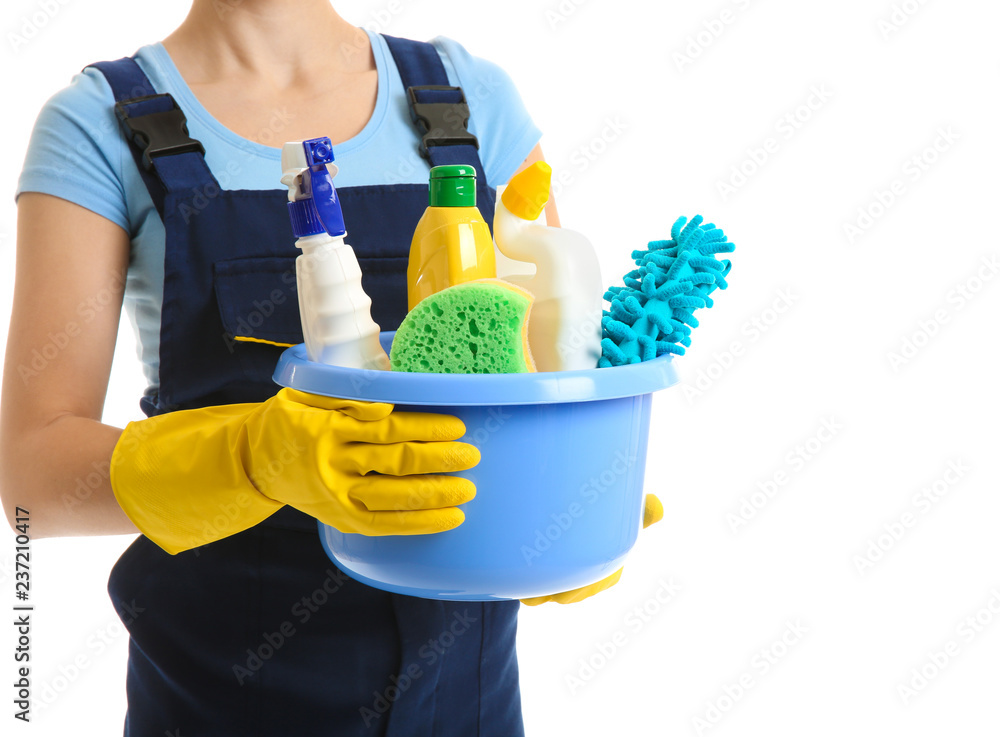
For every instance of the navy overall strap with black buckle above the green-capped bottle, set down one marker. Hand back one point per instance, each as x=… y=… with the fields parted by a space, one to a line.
x=439 y=109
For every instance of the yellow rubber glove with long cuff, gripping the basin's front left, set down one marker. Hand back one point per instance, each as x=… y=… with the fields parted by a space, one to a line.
x=189 y=477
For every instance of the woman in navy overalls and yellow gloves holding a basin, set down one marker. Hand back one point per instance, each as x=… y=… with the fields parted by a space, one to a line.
x=239 y=623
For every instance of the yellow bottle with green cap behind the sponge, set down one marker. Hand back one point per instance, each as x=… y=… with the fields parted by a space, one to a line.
x=452 y=243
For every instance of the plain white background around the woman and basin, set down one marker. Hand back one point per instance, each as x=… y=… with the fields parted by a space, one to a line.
x=890 y=87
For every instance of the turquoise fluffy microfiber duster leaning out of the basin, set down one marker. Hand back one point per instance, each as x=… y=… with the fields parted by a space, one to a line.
x=653 y=313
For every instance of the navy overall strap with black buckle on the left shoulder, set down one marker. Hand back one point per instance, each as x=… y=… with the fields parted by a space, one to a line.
x=169 y=160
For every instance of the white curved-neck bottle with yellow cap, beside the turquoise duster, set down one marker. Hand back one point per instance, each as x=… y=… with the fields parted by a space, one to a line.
x=564 y=327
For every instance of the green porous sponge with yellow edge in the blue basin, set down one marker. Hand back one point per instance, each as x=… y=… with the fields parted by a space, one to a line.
x=479 y=327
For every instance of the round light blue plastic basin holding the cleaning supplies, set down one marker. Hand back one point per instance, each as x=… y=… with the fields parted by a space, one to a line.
x=559 y=489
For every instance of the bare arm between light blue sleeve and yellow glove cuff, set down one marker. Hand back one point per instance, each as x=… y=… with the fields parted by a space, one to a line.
x=54 y=450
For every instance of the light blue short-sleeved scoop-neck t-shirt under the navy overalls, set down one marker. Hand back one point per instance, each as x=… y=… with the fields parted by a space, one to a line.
x=77 y=152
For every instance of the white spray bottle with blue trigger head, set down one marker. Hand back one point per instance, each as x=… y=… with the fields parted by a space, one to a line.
x=336 y=313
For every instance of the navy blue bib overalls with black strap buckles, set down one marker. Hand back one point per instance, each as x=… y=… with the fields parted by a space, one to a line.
x=259 y=633
